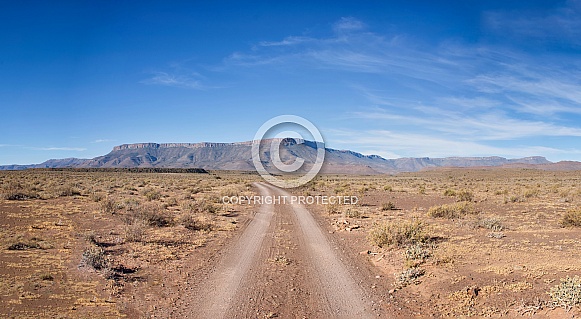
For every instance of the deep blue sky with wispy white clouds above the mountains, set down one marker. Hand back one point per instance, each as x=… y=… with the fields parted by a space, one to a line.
x=394 y=78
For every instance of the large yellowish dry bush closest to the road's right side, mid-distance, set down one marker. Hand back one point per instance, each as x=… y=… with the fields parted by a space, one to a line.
x=398 y=233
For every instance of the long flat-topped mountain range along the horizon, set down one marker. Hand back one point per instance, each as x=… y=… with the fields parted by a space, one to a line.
x=237 y=156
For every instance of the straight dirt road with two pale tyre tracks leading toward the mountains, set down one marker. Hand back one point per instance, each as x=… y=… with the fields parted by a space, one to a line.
x=283 y=265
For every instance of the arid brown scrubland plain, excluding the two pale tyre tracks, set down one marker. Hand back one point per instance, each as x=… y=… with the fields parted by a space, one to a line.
x=443 y=243
